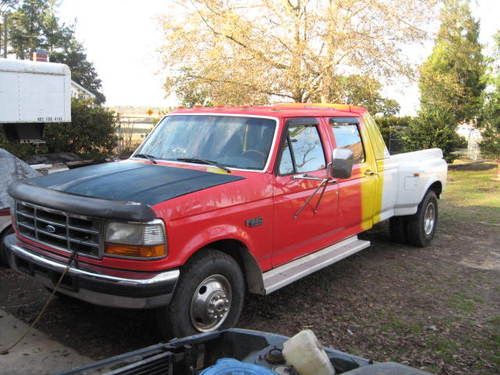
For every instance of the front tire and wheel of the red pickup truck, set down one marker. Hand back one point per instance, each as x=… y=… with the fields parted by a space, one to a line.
x=212 y=280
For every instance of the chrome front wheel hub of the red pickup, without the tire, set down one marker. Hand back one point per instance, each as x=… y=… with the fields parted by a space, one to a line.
x=211 y=303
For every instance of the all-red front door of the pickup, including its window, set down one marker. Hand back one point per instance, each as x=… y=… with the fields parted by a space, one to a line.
x=301 y=227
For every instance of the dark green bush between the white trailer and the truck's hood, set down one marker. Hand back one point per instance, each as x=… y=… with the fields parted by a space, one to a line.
x=91 y=133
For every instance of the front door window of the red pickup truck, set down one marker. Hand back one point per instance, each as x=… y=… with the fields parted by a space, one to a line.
x=302 y=151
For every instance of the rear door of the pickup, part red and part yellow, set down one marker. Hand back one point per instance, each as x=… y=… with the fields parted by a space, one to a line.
x=355 y=206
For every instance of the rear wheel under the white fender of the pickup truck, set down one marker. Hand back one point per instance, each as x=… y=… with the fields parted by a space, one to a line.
x=422 y=225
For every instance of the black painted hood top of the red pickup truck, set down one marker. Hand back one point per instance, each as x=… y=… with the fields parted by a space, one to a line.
x=132 y=181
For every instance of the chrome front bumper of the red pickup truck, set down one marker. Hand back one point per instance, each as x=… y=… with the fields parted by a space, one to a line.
x=145 y=290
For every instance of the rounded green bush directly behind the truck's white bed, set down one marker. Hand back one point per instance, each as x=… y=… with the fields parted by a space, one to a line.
x=433 y=129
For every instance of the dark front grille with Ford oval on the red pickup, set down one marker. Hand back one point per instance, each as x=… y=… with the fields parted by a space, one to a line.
x=59 y=229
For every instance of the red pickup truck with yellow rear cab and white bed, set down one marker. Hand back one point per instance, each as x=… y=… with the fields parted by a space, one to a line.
x=218 y=202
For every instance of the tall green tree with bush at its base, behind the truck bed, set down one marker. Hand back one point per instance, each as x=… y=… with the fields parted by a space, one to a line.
x=451 y=82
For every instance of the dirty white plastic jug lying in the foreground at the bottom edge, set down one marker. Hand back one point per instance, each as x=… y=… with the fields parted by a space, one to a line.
x=305 y=353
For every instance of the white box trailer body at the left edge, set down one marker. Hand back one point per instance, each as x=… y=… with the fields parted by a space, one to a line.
x=34 y=92
